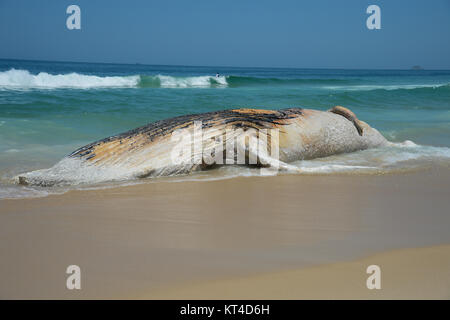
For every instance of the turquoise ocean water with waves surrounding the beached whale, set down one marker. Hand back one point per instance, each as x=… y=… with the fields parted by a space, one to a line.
x=49 y=109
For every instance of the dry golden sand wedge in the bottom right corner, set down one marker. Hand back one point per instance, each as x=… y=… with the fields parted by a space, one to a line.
x=413 y=273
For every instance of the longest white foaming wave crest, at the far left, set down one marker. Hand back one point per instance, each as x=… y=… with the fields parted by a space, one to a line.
x=23 y=79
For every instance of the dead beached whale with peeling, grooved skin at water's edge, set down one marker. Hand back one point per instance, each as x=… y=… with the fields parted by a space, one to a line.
x=180 y=145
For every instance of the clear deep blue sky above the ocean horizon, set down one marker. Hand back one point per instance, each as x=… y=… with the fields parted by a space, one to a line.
x=276 y=33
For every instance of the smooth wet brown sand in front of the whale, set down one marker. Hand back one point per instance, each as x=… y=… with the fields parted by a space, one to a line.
x=256 y=237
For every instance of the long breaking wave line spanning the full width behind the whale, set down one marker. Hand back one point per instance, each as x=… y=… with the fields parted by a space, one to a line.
x=14 y=79
